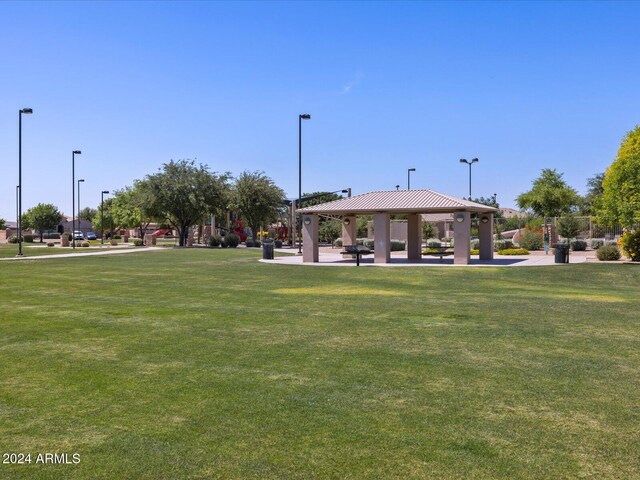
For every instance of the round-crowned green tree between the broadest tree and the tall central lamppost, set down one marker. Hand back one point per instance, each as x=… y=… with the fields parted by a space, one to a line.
x=257 y=198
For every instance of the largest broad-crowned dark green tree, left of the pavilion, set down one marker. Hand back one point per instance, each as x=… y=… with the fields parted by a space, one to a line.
x=185 y=194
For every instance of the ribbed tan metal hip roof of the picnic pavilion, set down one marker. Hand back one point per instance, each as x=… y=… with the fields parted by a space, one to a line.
x=398 y=201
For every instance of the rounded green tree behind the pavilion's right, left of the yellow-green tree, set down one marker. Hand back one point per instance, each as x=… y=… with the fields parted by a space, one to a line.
x=550 y=196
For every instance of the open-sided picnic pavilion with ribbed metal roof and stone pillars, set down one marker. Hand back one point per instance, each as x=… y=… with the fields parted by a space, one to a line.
x=412 y=203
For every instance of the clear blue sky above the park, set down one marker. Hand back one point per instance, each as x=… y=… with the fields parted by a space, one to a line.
x=522 y=86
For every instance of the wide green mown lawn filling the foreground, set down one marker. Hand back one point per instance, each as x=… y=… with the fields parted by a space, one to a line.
x=208 y=364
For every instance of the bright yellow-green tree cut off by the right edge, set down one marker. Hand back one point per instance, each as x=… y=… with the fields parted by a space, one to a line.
x=621 y=185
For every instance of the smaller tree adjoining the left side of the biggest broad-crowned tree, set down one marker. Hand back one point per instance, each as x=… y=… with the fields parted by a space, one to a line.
x=131 y=210
